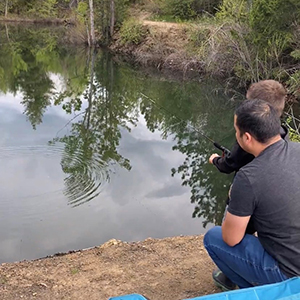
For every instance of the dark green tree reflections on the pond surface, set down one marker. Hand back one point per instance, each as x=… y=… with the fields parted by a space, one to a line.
x=106 y=98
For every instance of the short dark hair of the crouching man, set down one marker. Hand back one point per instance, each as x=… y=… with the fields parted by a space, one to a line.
x=258 y=118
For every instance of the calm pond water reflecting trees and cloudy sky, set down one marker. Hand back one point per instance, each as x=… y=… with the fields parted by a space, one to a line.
x=92 y=149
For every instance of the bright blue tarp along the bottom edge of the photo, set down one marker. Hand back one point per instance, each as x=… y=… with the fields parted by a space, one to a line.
x=286 y=290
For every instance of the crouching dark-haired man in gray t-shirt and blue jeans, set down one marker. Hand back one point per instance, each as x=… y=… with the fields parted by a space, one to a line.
x=267 y=190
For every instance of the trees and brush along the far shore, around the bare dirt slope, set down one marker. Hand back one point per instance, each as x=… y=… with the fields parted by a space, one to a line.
x=247 y=39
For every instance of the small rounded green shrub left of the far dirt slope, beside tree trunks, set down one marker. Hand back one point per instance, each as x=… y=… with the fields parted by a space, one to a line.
x=132 y=32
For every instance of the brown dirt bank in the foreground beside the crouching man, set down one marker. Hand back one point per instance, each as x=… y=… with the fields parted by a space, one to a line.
x=166 y=269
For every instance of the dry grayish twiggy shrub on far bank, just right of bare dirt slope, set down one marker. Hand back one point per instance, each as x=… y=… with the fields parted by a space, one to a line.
x=224 y=50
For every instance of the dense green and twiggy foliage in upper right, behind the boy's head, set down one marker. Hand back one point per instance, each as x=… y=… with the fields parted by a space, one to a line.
x=252 y=40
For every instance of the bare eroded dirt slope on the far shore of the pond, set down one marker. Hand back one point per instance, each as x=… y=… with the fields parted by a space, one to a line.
x=165 y=46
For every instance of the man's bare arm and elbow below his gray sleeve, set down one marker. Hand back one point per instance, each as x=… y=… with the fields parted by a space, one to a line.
x=234 y=228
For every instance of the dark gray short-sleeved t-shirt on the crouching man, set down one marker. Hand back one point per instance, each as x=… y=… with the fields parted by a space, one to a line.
x=268 y=189
